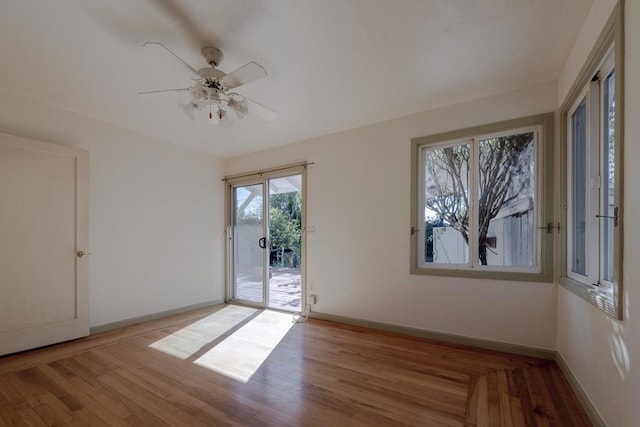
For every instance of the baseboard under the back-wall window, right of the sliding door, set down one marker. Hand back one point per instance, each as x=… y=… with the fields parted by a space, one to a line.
x=439 y=336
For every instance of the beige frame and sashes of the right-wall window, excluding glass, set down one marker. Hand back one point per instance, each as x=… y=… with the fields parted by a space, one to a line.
x=607 y=296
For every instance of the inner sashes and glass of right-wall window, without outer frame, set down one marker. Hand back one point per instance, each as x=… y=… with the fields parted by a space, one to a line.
x=591 y=180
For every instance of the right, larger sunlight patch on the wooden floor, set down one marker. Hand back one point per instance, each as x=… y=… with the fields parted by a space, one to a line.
x=240 y=355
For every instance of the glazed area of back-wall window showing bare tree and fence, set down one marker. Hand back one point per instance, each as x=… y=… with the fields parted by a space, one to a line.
x=505 y=201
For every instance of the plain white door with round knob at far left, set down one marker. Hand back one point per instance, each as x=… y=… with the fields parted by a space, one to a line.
x=44 y=236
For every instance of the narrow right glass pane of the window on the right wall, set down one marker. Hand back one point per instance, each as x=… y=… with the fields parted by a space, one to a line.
x=609 y=169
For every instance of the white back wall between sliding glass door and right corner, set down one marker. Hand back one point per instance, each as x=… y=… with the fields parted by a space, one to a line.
x=358 y=201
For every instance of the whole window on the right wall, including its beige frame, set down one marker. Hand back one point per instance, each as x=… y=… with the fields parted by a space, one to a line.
x=591 y=245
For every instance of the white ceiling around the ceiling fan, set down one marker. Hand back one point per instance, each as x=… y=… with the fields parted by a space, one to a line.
x=332 y=64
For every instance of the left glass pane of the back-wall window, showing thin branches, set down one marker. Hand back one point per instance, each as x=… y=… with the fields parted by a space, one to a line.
x=446 y=205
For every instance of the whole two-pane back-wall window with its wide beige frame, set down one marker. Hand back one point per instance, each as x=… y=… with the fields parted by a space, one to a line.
x=481 y=202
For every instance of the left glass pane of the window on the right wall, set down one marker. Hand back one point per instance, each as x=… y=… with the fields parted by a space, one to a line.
x=578 y=190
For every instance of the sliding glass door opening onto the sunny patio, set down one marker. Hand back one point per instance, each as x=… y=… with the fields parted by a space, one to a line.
x=265 y=241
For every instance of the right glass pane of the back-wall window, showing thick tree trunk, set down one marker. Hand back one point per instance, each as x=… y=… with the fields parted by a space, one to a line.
x=506 y=203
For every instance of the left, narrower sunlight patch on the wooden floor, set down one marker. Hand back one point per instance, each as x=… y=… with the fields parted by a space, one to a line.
x=189 y=340
